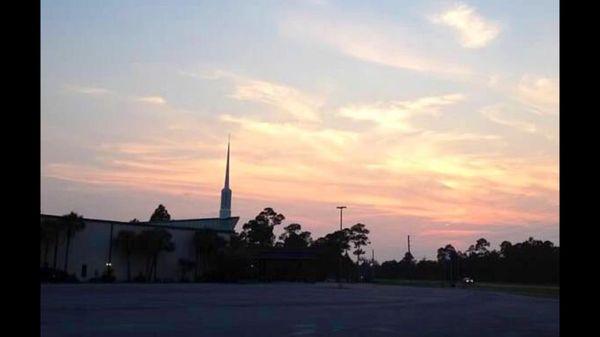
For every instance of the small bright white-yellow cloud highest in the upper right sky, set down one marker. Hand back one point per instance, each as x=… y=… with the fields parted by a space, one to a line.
x=474 y=31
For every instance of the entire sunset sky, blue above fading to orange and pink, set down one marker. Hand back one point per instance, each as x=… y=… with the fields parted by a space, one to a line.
x=434 y=119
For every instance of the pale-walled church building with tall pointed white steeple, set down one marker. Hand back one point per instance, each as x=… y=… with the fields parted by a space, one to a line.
x=93 y=249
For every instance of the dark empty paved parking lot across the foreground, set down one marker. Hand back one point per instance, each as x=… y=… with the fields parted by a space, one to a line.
x=290 y=309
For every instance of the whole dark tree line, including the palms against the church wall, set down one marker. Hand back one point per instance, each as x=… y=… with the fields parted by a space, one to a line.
x=242 y=257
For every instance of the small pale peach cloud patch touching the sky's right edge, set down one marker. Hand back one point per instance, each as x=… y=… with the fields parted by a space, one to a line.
x=540 y=93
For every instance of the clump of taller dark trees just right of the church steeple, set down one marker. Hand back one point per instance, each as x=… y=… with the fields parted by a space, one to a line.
x=242 y=258
